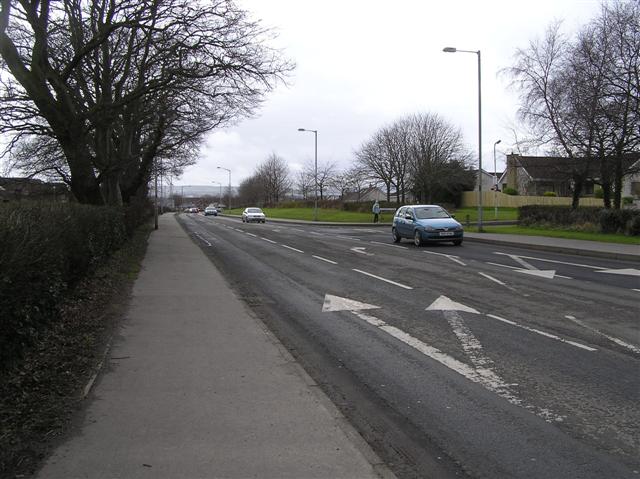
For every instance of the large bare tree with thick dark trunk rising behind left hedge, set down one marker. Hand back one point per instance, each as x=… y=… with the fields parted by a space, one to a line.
x=121 y=84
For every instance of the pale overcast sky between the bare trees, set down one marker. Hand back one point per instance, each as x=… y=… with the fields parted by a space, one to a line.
x=361 y=64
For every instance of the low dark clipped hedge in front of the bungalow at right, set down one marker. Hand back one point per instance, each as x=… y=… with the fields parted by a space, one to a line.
x=624 y=221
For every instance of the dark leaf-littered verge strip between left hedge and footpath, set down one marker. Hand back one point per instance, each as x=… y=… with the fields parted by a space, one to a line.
x=41 y=392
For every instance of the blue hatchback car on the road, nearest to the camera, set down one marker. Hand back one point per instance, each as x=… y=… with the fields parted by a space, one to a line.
x=426 y=224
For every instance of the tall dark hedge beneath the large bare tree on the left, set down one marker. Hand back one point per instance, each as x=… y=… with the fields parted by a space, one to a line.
x=45 y=249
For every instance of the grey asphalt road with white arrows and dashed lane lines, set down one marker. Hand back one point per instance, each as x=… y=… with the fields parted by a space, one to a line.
x=473 y=361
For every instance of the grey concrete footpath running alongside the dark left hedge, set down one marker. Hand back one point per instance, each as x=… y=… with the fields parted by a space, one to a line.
x=195 y=387
